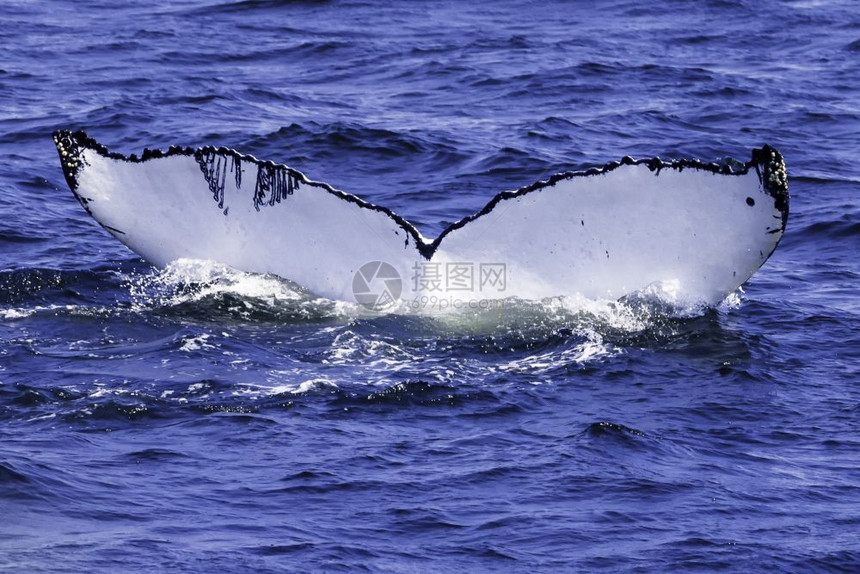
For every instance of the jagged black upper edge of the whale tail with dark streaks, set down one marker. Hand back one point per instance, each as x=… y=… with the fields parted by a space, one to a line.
x=275 y=182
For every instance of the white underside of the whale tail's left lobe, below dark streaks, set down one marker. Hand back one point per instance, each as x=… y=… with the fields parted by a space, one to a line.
x=165 y=211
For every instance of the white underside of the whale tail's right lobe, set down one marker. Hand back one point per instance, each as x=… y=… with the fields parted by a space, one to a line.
x=609 y=235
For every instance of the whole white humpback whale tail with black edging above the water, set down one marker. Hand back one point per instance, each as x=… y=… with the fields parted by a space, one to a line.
x=604 y=232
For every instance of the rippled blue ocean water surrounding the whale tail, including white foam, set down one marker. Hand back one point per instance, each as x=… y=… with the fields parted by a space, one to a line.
x=200 y=419
